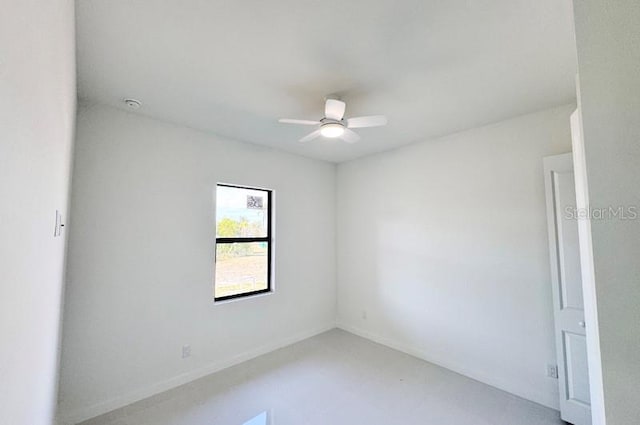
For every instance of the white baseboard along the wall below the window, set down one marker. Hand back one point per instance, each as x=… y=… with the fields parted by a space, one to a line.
x=89 y=412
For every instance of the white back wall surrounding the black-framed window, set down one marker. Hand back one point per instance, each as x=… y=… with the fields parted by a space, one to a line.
x=141 y=250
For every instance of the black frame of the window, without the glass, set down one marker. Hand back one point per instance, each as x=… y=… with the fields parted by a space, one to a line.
x=268 y=239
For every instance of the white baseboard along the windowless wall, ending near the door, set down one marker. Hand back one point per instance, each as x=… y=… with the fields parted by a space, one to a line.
x=535 y=396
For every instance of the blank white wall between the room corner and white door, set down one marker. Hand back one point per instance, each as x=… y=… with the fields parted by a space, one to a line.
x=442 y=245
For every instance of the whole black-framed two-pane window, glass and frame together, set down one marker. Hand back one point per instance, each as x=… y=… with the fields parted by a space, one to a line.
x=243 y=242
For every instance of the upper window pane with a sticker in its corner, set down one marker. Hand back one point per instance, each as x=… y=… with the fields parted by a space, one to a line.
x=241 y=212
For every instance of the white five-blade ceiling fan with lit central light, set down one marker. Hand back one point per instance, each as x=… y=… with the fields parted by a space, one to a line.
x=335 y=125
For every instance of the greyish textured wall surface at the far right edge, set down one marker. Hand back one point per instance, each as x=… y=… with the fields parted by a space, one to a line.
x=608 y=45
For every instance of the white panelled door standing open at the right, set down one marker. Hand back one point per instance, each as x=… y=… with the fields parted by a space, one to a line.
x=568 y=303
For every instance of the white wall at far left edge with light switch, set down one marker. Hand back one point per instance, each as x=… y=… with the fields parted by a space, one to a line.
x=37 y=113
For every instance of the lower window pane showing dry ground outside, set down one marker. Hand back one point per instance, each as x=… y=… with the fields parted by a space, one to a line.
x=240 y=268
